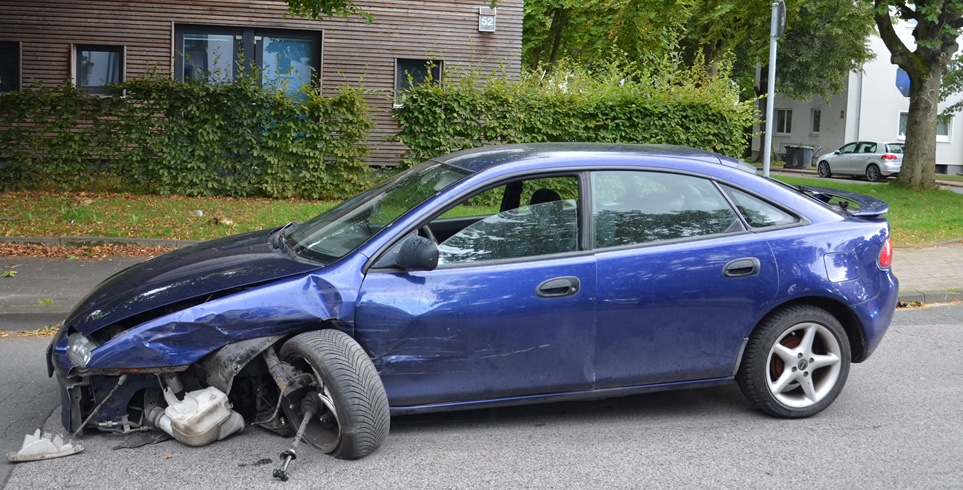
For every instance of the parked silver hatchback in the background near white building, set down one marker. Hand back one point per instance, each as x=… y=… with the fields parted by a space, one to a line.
x=872 y=159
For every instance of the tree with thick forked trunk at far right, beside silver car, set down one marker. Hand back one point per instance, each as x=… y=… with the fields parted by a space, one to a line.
x=938 y=24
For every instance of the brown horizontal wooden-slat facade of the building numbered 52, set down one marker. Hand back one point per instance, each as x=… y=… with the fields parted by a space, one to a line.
x=353 y=51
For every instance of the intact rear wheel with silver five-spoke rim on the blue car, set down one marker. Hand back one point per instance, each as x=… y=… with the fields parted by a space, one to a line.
x=796 y=362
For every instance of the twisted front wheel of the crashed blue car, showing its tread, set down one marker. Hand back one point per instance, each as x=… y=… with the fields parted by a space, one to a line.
x=346 y=381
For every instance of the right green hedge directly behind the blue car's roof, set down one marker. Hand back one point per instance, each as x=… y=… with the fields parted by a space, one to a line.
x=689 y=108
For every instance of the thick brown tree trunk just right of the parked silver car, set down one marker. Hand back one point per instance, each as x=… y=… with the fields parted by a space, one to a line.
x=919 y=159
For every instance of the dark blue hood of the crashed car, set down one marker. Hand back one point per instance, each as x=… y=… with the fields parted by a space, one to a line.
x=184 y=274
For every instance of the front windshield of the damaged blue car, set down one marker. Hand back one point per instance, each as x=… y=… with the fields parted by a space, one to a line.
x=338 y=231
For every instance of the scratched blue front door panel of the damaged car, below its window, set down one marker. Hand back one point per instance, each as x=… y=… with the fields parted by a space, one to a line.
x=479 y=332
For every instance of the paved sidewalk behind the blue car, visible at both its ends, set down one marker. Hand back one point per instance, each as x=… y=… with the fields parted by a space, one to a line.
x=43 y=291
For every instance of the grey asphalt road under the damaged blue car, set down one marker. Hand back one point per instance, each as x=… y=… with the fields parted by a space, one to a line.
x=898 y=424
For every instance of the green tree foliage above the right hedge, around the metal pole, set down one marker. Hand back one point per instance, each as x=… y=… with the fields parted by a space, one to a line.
x=824 y=42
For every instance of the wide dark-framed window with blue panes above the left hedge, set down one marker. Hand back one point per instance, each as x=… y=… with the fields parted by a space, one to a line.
x=287 y=60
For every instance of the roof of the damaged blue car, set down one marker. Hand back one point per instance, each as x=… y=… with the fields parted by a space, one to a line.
x=480 y=159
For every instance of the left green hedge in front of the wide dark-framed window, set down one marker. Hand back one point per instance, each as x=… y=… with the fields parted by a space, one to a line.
x=192 y=138
